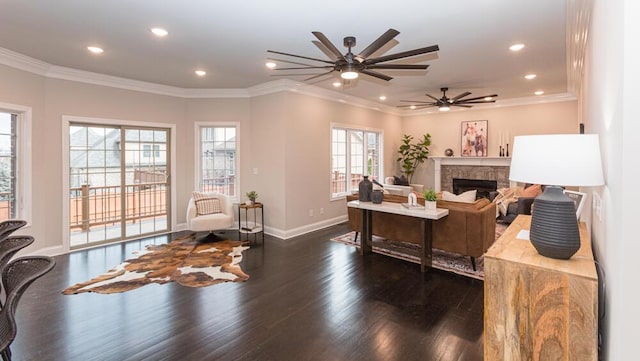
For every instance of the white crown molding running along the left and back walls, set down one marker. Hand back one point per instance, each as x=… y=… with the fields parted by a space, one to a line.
x=23 y=62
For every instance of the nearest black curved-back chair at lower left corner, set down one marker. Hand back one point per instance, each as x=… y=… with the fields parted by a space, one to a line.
x=17 y=277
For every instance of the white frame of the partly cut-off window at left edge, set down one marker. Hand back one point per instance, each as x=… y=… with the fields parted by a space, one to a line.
x=23 y=185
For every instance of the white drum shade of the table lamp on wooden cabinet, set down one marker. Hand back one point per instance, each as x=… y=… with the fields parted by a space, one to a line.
x=557 y=159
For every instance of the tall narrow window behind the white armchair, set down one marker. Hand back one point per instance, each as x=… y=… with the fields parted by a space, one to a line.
x=218 y=159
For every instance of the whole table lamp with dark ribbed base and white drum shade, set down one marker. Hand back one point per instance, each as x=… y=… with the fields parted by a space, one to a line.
x=556 y=160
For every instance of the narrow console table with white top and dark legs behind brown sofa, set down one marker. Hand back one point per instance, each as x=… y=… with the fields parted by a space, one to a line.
x=427 y=218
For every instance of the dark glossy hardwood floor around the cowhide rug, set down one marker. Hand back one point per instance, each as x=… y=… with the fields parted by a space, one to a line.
x=307 y=299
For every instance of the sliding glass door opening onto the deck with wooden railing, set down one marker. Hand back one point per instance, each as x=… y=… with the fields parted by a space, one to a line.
x=118 y=183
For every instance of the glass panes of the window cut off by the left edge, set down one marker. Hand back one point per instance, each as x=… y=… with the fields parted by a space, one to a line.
x=8 y=140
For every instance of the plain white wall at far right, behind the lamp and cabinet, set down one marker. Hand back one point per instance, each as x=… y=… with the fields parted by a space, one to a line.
x=610 y=109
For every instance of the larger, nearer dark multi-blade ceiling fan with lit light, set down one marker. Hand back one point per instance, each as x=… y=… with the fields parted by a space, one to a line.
x=349 y=65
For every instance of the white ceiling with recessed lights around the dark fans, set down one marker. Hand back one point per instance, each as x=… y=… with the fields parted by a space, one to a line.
x=229 y=39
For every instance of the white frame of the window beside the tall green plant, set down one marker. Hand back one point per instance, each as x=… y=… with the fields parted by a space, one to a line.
x=353 y=128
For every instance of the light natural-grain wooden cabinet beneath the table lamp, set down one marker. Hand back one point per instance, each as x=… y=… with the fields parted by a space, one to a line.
x=539 y=308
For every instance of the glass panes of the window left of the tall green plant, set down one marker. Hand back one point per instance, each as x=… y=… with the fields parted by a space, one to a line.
x=354 y=153
